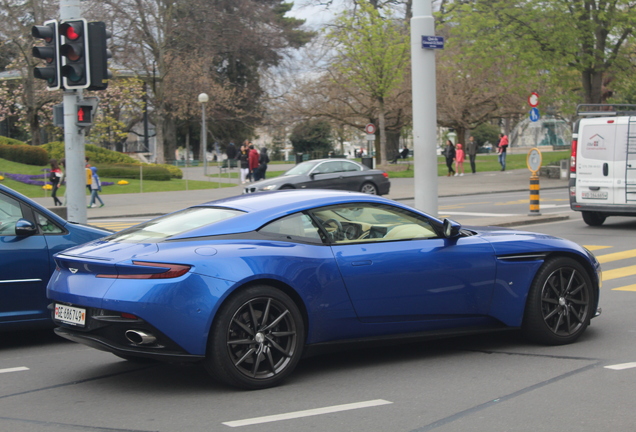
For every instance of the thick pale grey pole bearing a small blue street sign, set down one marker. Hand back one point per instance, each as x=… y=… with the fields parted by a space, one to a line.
x=424 y=109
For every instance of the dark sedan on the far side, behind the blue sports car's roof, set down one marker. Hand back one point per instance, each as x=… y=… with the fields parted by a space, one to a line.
x=341 y=174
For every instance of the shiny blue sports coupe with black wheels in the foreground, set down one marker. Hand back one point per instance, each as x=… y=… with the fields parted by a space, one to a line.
x=247 y=285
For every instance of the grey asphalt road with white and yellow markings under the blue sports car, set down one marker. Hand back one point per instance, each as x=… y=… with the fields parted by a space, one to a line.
x=494 y=382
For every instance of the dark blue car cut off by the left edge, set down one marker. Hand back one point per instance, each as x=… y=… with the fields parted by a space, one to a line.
x=29 y=236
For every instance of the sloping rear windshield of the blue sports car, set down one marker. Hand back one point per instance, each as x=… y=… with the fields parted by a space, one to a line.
x=173 y=224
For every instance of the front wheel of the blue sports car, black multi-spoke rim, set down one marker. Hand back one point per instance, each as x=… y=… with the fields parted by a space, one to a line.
x=560 y=303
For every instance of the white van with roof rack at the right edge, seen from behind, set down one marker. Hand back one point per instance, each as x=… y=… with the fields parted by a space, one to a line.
x=603 y=162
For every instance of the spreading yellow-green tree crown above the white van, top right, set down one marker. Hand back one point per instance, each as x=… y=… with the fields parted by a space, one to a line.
x=553 y=38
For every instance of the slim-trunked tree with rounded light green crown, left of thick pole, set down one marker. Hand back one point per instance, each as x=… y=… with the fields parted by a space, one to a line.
x=372 y=54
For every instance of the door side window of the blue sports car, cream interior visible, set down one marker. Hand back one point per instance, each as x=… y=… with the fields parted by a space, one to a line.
x=366 y=222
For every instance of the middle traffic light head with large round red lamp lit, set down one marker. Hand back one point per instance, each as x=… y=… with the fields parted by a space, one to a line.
x=74 y=51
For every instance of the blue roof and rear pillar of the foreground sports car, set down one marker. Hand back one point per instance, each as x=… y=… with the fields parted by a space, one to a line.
x=262 y=207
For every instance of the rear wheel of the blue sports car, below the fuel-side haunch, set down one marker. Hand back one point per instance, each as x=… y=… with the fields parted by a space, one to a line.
x=256 y=339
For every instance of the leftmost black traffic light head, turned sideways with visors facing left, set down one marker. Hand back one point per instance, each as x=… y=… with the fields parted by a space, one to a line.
x=50 y=52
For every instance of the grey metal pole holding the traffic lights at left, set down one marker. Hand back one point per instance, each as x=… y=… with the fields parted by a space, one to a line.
x=73 y=138
